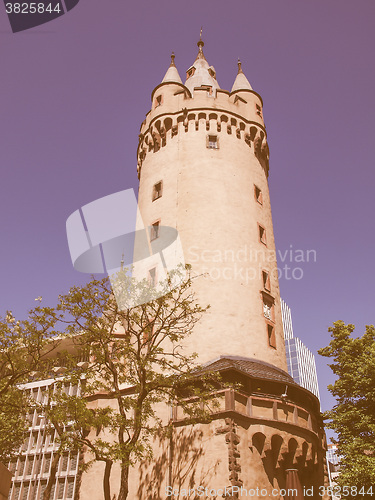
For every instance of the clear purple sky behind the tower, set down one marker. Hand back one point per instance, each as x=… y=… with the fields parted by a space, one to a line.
x=75 y=91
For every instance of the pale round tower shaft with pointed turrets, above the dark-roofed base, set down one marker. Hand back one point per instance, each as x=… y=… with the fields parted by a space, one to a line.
x=203 y=169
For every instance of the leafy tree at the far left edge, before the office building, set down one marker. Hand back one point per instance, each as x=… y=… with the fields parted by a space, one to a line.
x=25 y=347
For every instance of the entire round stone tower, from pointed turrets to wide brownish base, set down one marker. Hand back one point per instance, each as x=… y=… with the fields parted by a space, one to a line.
x=203 y=169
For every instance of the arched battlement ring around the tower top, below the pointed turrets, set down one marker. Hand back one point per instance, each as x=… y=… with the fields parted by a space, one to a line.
x=175 y=111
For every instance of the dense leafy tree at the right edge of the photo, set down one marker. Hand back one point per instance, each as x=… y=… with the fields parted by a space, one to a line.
x=353 y=416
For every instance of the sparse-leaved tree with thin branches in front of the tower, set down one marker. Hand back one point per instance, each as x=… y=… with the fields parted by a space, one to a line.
x=136 y=362
